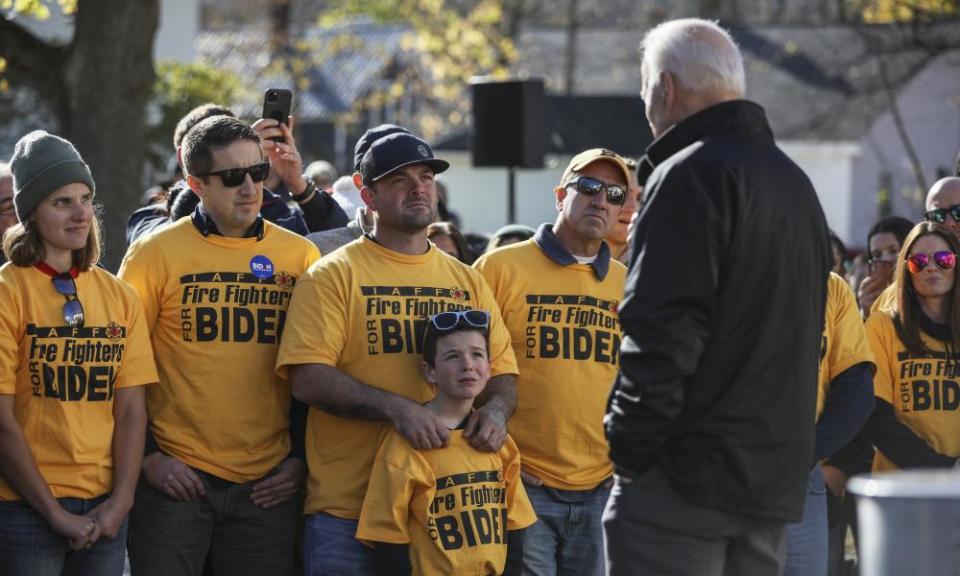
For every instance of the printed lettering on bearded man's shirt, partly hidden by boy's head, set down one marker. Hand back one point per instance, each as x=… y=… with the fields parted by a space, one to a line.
x=396 y=315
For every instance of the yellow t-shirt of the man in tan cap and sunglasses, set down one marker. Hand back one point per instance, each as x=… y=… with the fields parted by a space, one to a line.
x=566 y=336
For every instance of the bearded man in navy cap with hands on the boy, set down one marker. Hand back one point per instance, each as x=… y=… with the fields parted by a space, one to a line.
x=352 y=348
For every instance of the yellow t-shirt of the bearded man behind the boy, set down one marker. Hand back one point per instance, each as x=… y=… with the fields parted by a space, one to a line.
x=362 y=309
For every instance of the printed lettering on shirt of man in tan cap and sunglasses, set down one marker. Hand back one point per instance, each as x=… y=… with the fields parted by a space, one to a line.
x=572 y=327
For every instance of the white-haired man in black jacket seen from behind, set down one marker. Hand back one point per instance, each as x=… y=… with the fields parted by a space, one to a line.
x=711 y=418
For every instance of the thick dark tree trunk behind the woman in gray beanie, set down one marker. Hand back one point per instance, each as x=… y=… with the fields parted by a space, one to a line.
x=108 y=76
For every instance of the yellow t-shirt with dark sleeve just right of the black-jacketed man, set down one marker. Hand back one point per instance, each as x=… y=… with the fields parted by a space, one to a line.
x=844 y=343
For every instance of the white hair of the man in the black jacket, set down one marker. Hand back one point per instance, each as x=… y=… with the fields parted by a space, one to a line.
x=699 y=54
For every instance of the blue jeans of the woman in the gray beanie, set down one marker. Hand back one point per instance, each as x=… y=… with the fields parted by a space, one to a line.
x=29 y=547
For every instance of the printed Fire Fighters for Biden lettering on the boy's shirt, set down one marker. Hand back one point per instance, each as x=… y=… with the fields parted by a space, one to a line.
x=469 y=509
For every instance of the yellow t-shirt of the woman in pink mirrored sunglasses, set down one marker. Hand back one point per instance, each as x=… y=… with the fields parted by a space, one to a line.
x=924 y=390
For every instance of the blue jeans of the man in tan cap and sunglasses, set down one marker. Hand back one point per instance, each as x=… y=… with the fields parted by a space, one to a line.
x=567 y=537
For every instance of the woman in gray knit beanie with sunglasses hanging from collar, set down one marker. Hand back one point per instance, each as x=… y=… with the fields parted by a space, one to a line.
x=74 y=356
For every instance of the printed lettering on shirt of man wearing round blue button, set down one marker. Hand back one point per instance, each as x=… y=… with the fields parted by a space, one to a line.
x=234 y=306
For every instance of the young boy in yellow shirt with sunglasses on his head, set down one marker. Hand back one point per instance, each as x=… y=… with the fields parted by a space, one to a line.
x=454 y=510
